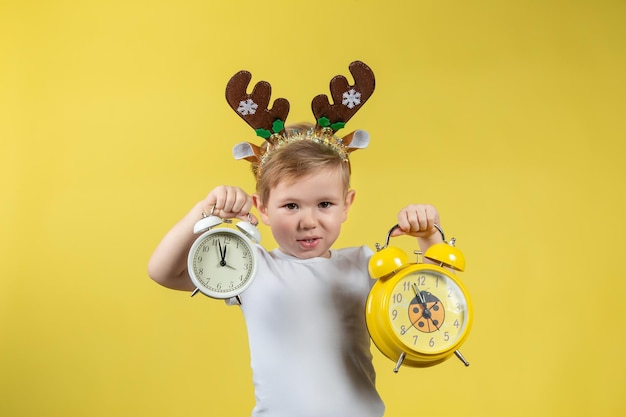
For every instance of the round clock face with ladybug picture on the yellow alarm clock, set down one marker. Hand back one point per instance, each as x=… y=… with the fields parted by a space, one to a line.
x=428 y=311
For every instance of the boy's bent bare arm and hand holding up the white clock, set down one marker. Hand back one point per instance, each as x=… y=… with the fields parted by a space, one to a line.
x=168 y=263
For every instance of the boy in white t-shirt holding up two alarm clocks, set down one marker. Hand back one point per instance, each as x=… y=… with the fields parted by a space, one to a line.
x=304 y=311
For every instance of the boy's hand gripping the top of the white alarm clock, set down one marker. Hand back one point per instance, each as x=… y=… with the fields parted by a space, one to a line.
x=229 y=202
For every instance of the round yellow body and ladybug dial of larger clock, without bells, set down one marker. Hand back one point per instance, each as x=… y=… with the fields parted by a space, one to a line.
x=422 y=311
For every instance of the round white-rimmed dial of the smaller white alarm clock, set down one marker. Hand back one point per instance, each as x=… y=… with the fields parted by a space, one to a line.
x=221 y=263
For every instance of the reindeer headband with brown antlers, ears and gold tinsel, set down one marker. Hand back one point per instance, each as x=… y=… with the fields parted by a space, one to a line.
x=270 y=123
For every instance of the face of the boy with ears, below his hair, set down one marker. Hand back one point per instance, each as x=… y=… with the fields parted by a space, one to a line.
x=305 y=216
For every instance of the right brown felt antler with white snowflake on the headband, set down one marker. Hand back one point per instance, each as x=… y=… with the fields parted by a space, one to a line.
x=347 y=99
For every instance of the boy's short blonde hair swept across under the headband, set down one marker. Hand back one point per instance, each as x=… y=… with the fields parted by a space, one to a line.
x=297 y=160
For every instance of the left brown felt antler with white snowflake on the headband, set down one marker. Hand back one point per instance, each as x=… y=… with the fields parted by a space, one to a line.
x=253 y=108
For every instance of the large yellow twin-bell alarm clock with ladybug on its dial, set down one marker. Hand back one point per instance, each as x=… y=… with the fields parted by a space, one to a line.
x=418 y=314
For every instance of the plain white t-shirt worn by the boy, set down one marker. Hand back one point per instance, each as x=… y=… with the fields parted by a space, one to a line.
x=309 y=345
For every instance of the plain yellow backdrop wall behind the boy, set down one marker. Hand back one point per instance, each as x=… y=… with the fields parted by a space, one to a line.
x=508 y=116
